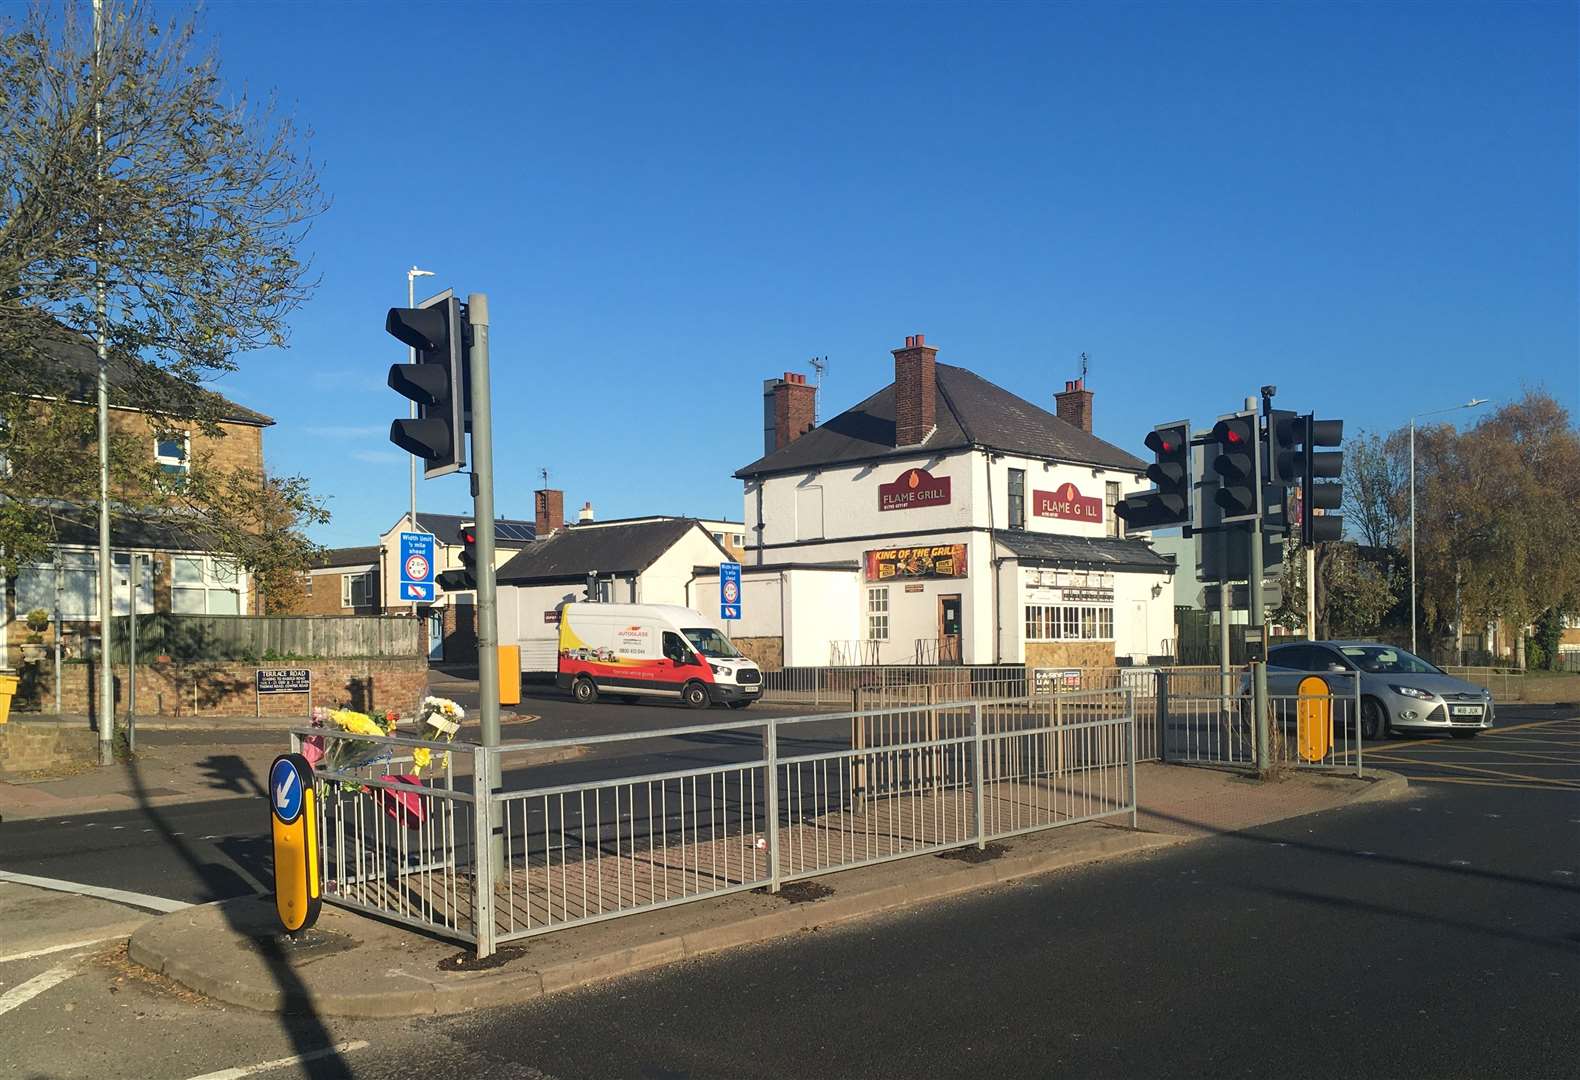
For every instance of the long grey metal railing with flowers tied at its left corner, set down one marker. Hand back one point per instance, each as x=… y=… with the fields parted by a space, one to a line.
x=775 y=800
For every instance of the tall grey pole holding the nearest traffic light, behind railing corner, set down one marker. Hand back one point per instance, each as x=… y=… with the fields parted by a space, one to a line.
x=484 y=522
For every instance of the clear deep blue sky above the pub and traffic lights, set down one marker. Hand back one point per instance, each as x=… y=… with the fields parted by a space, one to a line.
x=1371 y=206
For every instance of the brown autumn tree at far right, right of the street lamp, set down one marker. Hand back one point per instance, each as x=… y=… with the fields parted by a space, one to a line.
x=1499 y=517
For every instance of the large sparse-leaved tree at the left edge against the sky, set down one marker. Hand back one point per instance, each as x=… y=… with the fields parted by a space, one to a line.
x=134 y=174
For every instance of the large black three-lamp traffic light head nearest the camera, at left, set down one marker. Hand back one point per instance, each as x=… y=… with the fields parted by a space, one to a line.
x=437 y=331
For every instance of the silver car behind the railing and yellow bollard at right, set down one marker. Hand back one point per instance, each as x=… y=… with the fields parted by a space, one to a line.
x=1399 y=691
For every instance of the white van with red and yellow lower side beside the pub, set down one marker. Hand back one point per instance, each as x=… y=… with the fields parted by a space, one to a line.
x=652 y=650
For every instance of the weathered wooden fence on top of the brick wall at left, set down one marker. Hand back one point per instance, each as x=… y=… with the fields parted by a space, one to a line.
x=186 y=639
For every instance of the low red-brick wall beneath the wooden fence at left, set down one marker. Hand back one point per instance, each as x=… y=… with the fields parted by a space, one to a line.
x=228 y=689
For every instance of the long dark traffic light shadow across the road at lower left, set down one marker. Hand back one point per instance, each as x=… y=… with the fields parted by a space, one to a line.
x=301 y=1022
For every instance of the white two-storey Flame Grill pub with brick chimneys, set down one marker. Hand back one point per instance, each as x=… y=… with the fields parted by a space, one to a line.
x=944 y=520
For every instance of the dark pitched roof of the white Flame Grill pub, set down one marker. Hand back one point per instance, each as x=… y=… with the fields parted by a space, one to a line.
x=971 y=413
